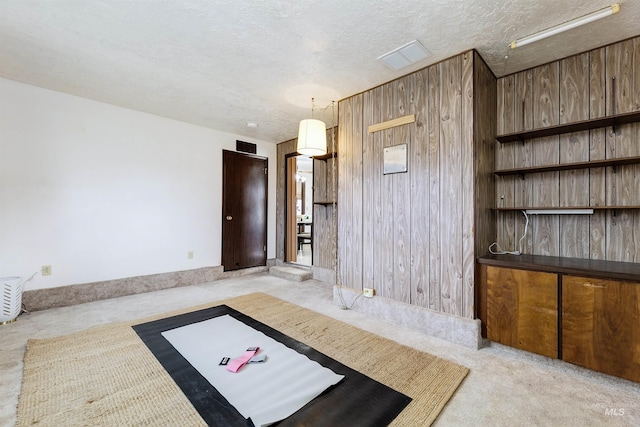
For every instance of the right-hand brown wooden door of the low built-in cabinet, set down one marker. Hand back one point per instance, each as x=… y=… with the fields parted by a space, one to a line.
x=601 y=325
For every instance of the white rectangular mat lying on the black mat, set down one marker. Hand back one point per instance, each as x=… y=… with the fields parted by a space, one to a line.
x=265 y=392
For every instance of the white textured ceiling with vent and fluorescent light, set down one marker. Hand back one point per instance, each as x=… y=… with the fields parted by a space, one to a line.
x=223 y=63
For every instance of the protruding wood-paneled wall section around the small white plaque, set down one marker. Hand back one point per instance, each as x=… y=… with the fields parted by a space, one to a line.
x=414 y=236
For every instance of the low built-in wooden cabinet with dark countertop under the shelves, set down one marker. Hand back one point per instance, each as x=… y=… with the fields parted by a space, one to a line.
x=586 y=312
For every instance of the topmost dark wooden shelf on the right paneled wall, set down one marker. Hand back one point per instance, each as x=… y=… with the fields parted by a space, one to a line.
x=615 y=120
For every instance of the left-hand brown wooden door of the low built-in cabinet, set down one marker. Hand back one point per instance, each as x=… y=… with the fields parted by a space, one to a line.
x=522 y=309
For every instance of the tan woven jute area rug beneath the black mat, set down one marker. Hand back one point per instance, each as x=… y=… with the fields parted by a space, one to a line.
x=107 y=376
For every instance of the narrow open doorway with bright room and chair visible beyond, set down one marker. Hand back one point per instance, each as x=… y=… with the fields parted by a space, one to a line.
x=299 y=210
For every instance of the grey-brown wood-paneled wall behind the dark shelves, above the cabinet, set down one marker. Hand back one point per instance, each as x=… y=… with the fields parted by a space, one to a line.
x=601 y=82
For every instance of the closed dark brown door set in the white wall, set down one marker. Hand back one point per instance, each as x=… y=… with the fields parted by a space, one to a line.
x=244 y=211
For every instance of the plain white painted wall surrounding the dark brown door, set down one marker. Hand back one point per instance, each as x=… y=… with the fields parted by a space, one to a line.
x=101 y=192
